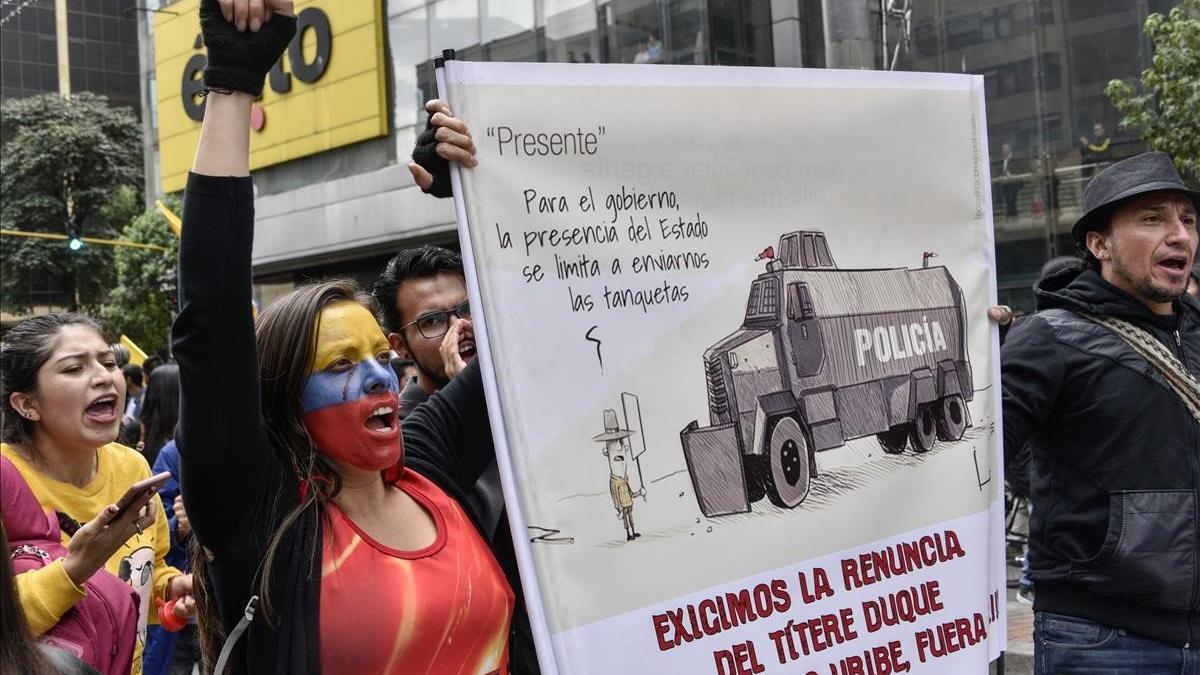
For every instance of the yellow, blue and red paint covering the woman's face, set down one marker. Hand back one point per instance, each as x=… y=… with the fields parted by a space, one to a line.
x=352 y=397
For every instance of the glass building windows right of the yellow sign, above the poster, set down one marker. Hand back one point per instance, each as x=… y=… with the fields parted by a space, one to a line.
x=583 y=32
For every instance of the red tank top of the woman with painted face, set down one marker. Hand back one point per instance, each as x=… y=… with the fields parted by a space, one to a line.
x=443 y=610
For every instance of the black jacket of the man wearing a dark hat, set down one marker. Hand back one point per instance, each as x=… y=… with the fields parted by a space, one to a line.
x=1115 y=528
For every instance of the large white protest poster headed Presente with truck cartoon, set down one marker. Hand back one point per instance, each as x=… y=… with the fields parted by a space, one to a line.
x=741 y=371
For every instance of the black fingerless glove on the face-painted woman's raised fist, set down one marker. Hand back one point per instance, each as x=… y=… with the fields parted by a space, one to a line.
x=239 y=62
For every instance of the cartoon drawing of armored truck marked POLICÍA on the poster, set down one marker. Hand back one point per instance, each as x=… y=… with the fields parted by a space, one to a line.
x=826 y=356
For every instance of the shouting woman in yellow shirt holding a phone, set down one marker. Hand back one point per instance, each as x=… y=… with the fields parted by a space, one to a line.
x=63 y=398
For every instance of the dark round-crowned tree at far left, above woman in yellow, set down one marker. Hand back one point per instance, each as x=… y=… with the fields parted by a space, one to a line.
x=64 y=158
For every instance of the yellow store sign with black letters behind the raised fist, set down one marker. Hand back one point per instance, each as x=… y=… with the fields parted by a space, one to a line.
x=314 y=100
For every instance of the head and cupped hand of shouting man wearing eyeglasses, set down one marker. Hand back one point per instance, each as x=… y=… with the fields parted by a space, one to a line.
x=423 y=295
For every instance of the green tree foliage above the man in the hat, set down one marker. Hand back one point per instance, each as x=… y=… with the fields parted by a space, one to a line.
x=1166 y=110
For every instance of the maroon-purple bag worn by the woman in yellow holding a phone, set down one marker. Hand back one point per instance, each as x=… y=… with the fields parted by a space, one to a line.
x=101 y=630
